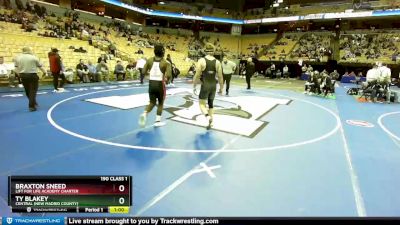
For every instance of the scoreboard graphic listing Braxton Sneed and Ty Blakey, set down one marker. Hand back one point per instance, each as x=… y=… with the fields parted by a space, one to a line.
x=76 y=194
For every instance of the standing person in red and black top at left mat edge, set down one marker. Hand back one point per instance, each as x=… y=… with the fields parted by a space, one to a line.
x=55 y=69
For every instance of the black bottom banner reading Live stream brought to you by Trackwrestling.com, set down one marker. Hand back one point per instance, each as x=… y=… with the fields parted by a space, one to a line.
x=185 y=220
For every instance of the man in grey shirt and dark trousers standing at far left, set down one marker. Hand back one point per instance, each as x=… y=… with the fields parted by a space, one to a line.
x=26 y=65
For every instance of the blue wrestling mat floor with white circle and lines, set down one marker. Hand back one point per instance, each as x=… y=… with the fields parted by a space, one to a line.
x=274 y=151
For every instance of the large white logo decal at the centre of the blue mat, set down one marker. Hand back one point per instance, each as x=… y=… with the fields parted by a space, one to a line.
x=239 y=115
